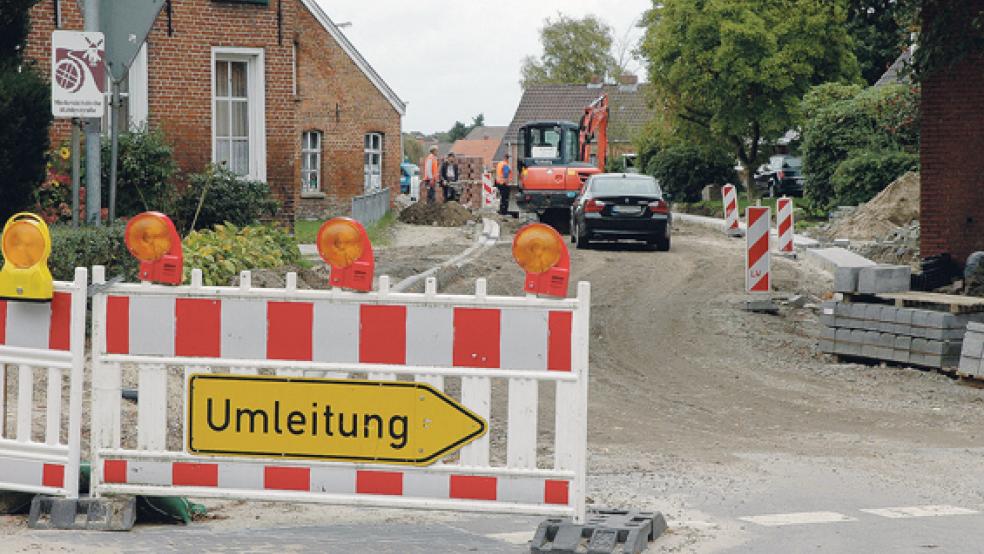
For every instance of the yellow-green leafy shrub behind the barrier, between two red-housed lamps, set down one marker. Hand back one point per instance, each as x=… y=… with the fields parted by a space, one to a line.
x=226 y=250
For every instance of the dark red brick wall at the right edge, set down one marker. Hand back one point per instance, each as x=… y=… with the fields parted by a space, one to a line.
x=952 y=197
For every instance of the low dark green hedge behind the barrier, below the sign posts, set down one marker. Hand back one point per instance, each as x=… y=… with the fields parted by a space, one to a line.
x=89 y=246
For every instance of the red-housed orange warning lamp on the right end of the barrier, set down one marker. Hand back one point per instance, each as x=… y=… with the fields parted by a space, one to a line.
x=540 y=251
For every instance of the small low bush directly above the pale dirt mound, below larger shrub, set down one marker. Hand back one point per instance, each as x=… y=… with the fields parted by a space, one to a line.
x=864 y=174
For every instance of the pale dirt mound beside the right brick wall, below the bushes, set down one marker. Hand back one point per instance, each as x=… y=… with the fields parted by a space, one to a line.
x=896 y=206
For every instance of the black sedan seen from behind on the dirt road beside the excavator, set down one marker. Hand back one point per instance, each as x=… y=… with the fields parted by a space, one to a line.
x=615 y=206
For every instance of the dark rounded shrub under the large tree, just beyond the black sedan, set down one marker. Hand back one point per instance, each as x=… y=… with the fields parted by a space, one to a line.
x=683 y=170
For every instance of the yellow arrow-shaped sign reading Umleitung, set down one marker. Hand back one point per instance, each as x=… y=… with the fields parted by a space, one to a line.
x=393 y=422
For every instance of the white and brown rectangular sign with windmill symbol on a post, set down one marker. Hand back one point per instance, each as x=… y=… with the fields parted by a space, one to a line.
x=78 y=74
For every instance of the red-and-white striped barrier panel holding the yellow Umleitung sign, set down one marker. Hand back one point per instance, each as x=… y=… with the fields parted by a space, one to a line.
x=510 y=360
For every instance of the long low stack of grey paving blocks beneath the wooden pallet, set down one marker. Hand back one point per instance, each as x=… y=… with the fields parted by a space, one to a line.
x=881 y=332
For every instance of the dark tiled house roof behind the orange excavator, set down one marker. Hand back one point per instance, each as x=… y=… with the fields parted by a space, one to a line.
x=626 y=105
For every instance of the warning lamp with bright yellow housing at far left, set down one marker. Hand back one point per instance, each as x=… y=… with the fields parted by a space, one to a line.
x=26 y=245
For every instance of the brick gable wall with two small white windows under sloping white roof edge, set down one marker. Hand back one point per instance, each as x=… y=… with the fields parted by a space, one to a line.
x=338 y=99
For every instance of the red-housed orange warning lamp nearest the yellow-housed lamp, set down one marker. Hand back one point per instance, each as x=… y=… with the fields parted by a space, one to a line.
x=153 y=240
